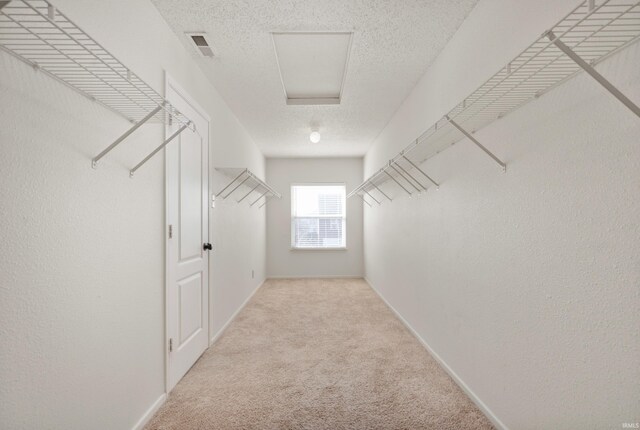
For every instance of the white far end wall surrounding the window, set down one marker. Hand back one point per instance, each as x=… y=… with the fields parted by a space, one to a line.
x=284 y=262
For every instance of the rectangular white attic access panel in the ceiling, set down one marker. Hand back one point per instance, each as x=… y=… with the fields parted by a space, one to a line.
x=312 y=65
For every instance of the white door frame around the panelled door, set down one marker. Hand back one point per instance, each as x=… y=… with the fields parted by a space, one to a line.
x=170 y=82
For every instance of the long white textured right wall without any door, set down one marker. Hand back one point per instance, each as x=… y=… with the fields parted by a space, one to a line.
x=525 y=283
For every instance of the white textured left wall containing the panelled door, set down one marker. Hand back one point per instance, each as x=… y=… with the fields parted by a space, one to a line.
x=82 y=261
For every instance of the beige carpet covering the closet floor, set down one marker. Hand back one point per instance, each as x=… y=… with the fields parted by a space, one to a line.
x=317 y=354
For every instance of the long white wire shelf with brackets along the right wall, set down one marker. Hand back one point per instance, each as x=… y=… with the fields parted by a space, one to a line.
x=586 y=36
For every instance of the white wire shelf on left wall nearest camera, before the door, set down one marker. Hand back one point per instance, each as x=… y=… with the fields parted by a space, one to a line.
x=35 y=32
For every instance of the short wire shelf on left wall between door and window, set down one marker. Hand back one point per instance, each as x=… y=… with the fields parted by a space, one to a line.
x=253 y=188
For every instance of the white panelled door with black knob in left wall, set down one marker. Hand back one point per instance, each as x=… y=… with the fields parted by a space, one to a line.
x=187 y=173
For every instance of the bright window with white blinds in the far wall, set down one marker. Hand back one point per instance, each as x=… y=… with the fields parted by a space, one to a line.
x=318 y=216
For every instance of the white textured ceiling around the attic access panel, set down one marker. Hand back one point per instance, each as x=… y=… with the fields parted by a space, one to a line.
x=393 y=44
